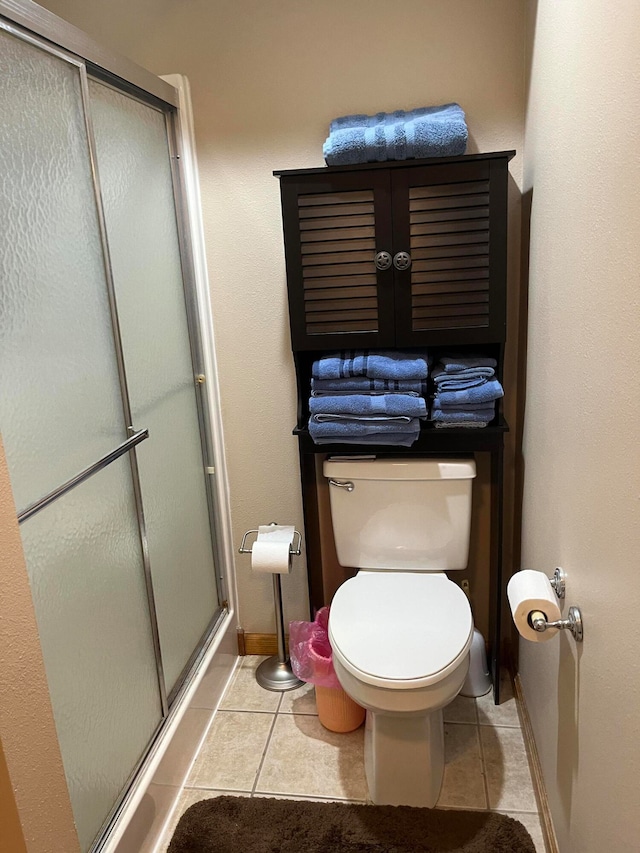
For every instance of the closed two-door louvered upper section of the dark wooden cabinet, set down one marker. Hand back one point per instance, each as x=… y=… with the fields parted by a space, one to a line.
x=397 y=254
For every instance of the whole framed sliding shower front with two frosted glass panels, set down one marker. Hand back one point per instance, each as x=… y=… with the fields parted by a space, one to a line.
x=102 y=411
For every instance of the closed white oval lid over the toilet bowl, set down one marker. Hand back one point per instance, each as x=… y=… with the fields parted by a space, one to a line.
x=400 y=629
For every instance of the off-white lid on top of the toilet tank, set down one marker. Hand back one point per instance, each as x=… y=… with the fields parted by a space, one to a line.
x=350 y=468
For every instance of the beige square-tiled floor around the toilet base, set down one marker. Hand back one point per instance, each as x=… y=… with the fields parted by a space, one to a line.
x=271 y=744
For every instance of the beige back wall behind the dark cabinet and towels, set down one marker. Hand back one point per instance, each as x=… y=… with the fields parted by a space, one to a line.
x=267 y=76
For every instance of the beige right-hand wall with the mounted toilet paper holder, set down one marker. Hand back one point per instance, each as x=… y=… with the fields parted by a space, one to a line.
x=582 y=476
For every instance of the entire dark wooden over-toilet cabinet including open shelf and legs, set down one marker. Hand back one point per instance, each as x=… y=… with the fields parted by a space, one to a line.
x=399 y=255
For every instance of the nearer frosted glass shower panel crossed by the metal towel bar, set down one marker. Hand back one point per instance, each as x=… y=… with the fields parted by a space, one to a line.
x=60 y=412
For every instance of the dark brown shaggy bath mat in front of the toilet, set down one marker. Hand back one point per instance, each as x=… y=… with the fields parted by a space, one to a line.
x=244 y=825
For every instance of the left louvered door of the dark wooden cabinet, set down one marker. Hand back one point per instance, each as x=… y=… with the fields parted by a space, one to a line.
x=334 y=225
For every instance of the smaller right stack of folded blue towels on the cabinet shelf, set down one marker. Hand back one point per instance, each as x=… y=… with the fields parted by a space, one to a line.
x=466 y=391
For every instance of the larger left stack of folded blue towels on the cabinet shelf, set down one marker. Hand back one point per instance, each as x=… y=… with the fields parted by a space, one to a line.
x=368 y=398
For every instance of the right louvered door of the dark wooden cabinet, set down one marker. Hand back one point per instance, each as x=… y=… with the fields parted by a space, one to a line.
x=451 y=219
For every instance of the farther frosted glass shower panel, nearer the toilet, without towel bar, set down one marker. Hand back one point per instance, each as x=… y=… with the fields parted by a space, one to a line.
x=137 y=190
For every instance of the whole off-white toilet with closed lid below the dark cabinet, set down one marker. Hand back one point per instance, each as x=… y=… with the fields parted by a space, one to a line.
x=400 y=630
